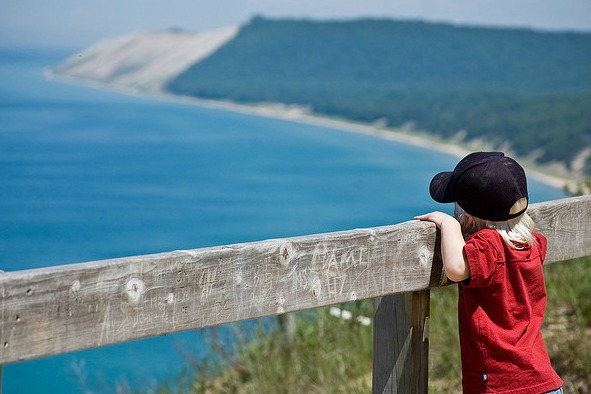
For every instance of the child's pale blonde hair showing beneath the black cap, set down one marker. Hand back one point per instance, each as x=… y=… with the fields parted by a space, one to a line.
x=517 y=232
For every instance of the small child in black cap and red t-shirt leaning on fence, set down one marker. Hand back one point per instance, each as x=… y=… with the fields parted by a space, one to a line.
x=502 y=295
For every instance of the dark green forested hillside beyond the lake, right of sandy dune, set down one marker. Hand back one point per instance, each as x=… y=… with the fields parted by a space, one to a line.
x=528 y=89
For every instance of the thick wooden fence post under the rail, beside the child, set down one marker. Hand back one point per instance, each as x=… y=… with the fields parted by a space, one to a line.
x=401 y=343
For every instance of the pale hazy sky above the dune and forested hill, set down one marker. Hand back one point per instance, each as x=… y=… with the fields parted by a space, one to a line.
x=79 y=23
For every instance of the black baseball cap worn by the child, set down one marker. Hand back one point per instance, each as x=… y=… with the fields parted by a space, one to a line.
x=484 y=184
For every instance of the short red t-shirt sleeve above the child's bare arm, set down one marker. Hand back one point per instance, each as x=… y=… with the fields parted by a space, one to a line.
x=482 y=257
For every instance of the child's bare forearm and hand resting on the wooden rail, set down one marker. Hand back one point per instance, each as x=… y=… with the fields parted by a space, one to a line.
x=452 y=245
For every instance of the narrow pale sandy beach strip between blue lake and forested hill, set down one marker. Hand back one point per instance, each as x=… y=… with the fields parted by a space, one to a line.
x=301 y=114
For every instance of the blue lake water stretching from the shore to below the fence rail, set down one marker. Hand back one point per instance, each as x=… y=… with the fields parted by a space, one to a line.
x=88 y=174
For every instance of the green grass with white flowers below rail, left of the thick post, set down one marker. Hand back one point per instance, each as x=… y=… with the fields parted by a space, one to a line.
x=326 y=355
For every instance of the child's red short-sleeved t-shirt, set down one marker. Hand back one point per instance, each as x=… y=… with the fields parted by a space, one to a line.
x=501 y=309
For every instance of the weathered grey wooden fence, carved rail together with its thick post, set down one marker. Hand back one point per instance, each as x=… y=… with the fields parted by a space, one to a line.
x=60 y=309
